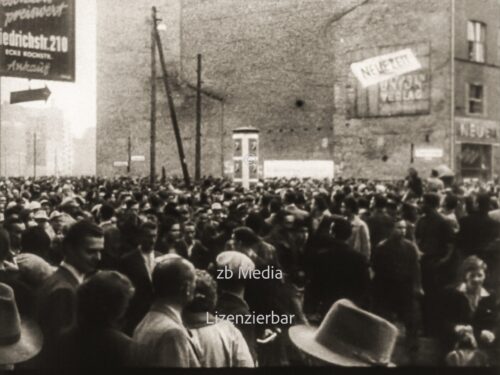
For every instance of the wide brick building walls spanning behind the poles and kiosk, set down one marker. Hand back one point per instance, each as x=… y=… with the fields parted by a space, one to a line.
x=283 y=68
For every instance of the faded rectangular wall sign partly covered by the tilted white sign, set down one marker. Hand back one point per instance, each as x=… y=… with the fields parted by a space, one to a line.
x=399 y=94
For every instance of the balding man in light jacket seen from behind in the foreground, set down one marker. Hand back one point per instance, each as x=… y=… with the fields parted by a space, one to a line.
x=162 y=339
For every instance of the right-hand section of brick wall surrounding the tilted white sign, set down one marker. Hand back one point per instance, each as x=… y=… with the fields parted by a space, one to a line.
x=376 y=146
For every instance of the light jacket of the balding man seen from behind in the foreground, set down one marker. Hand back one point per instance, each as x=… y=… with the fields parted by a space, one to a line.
x=163 y=341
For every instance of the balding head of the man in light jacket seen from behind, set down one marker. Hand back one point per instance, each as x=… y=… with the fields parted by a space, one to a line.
x=173 y=280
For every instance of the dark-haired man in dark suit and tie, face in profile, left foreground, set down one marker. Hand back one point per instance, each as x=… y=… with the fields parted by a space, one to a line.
x=56 y=307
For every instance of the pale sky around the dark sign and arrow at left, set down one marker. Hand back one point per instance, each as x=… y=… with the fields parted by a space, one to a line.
x=77 y=100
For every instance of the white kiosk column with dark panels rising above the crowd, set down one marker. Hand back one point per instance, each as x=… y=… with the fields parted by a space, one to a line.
x=246 y=156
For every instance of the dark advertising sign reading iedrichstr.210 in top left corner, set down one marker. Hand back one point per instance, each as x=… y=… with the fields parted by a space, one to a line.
x=37 y=39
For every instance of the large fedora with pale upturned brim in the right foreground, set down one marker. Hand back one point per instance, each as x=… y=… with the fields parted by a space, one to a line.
x=348 y=336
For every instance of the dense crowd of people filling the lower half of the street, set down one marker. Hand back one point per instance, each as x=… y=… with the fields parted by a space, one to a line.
x=99 y=272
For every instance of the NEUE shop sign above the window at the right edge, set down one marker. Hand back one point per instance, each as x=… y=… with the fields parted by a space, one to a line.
x=477 y=130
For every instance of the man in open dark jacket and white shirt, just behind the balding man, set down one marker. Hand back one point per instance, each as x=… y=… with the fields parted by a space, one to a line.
x=138 y=266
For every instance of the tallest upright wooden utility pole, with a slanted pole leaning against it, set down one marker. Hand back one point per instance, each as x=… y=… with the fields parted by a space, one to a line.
x=152 y=146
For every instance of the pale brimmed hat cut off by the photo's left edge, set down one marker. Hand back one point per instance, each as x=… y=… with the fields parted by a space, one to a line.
x=20 y=339
